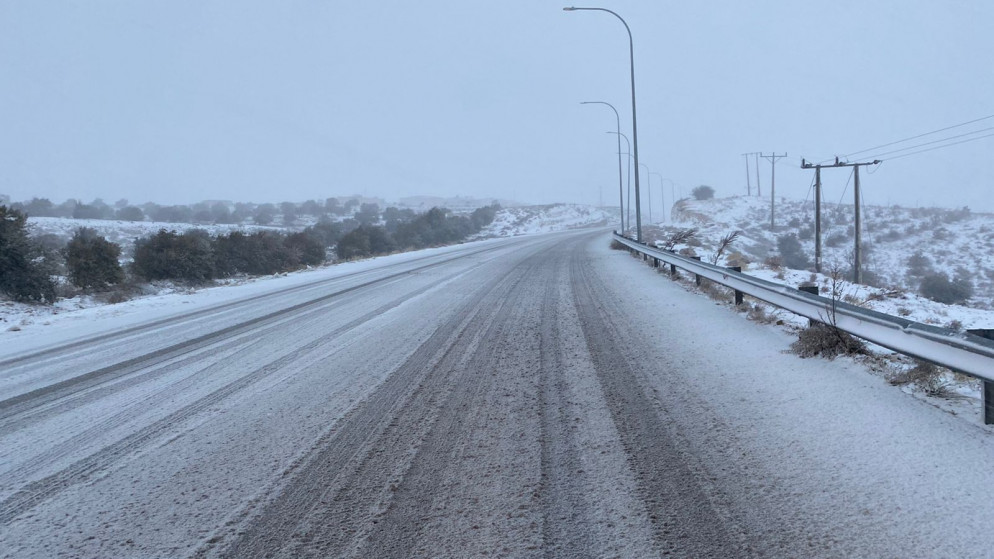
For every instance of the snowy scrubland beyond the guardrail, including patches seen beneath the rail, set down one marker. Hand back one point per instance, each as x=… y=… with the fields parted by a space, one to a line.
x=929 y=265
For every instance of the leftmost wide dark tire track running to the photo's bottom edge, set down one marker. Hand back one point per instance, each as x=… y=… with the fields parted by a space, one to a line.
x=342 y=492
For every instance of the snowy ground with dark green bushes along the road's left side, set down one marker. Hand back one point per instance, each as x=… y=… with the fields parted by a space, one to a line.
x=347 y=232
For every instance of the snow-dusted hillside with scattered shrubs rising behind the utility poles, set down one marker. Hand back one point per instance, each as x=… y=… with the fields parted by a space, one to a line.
x=901 y=246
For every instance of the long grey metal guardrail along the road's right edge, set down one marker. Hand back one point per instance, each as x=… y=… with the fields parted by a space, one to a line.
x=962 y=352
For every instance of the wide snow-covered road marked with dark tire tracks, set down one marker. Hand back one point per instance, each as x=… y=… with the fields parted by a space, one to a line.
x=539 y=397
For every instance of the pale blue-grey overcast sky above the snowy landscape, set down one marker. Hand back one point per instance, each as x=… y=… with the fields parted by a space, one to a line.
x=180 y=101
